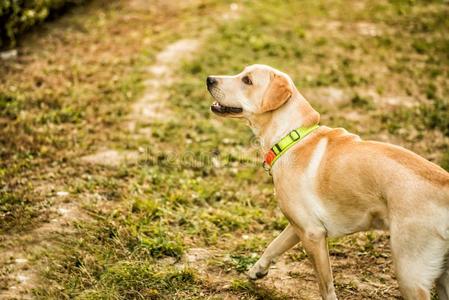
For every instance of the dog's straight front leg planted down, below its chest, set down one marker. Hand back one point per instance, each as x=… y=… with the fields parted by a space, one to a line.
x=314 y=242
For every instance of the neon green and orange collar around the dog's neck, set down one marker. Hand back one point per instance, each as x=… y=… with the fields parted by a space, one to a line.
x=286 y=143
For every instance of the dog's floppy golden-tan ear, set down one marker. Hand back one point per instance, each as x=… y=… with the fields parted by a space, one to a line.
x=278 y=92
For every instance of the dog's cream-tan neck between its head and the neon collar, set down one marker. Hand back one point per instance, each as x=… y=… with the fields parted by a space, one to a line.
x=271 y=127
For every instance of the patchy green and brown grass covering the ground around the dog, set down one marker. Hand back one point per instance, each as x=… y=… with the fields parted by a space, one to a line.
x=198 y=181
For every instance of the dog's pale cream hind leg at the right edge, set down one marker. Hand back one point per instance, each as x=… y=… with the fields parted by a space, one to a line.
x=419 y=258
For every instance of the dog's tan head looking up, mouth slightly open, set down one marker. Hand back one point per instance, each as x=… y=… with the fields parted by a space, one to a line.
x=258 y=89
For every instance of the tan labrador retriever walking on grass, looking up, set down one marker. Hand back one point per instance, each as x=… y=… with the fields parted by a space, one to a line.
x=332 y=183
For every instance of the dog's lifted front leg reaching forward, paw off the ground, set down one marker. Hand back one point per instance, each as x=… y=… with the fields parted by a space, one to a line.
x=279 y=245
